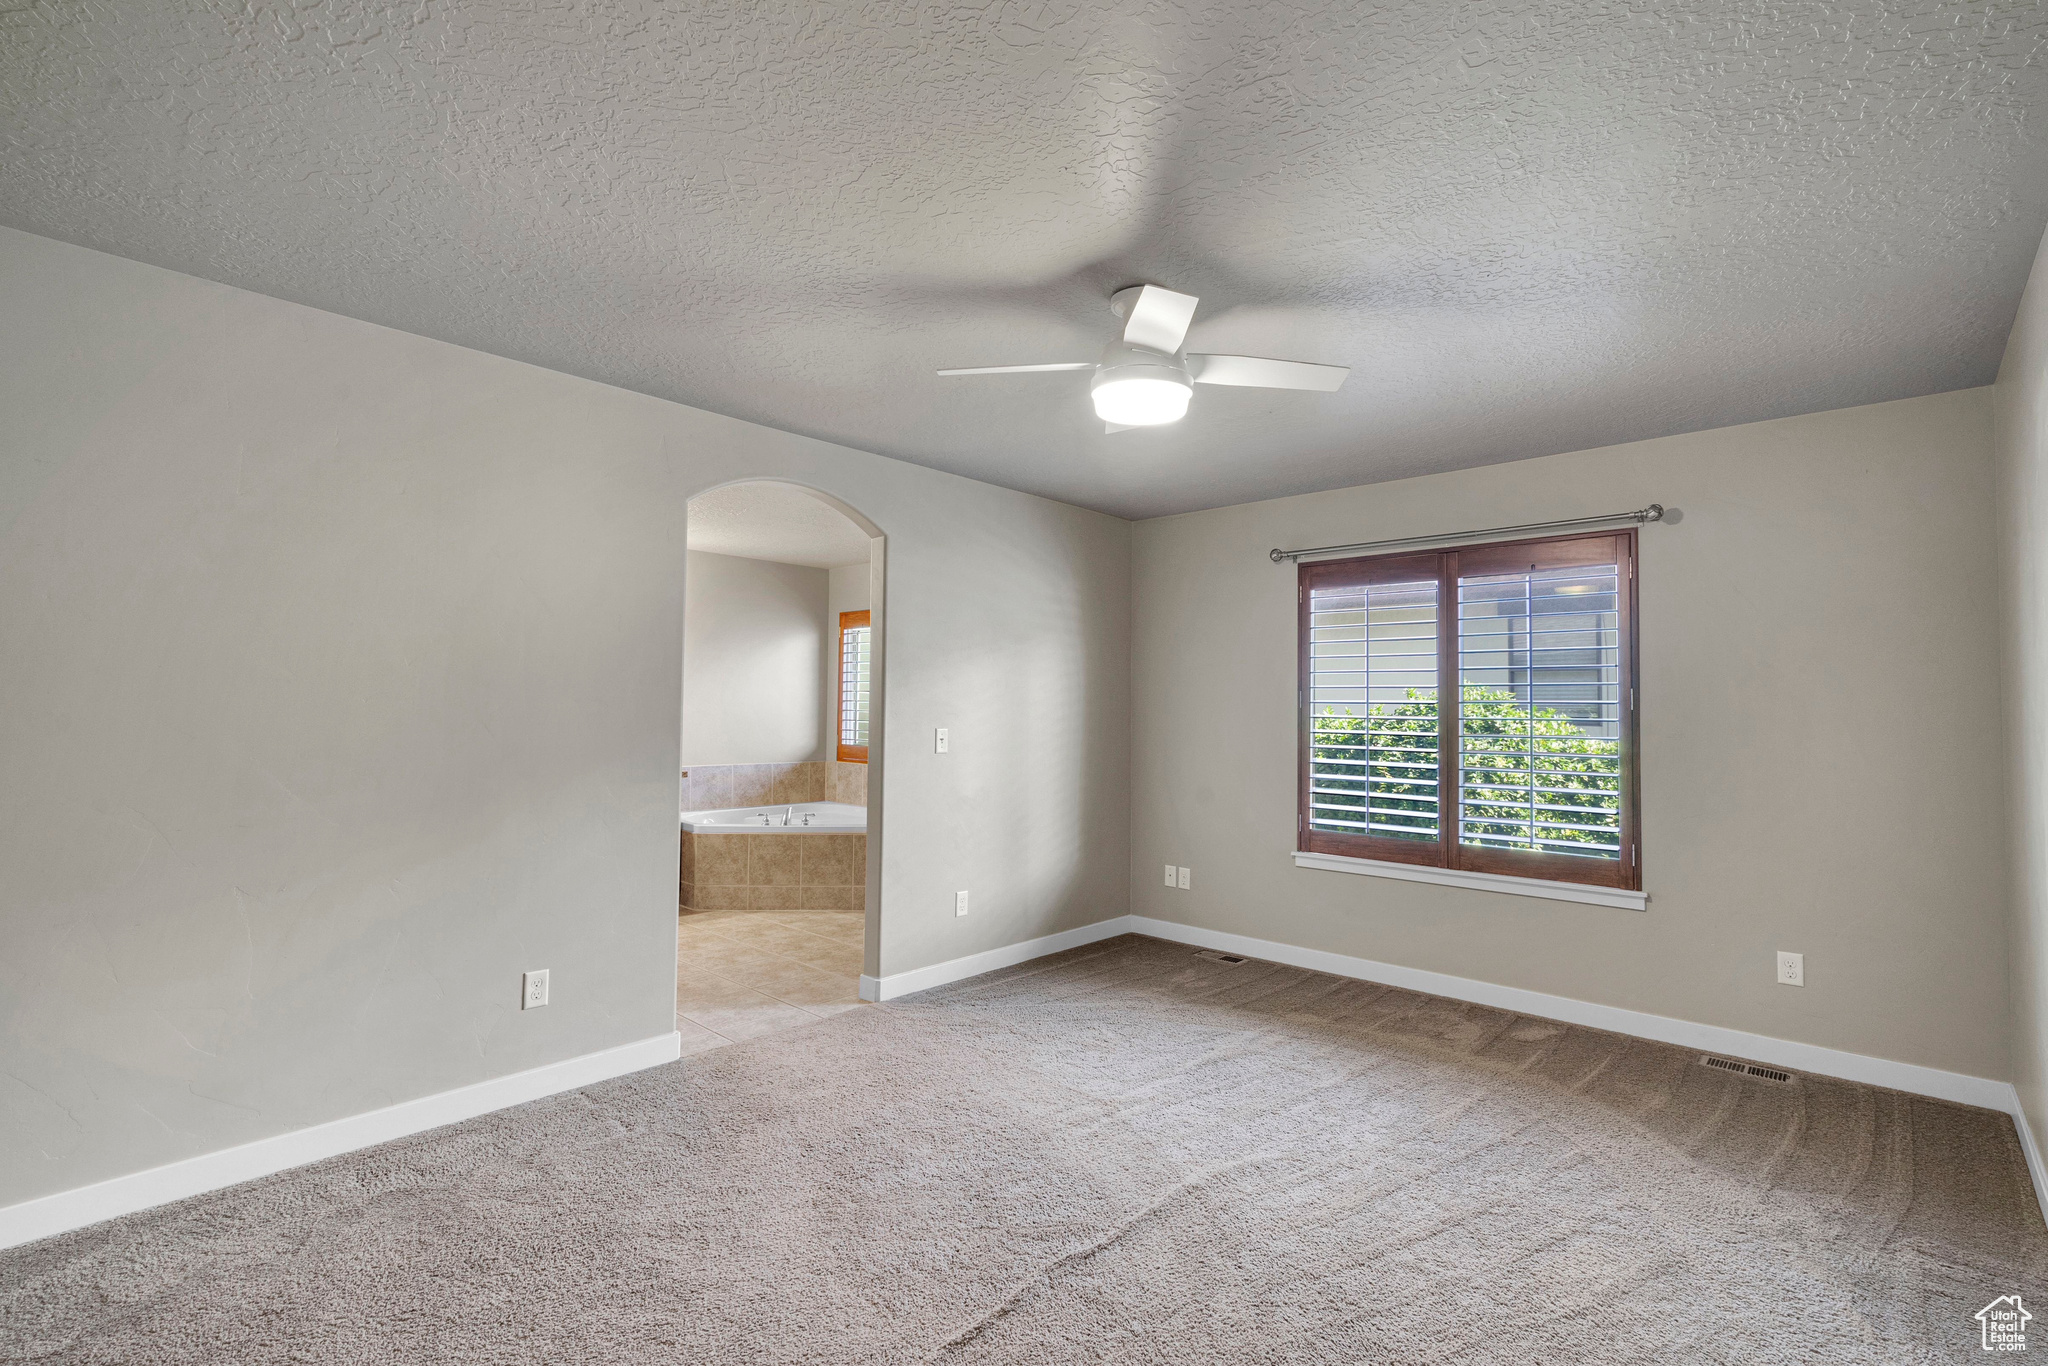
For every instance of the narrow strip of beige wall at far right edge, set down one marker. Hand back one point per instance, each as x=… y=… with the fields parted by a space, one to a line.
x=2022 y=458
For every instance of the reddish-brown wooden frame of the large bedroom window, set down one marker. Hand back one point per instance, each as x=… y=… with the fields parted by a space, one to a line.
x=1447 y=566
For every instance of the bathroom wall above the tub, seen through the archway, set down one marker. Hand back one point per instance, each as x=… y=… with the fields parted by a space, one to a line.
x=755 y=646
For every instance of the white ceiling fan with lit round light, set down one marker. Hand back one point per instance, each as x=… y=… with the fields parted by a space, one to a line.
x=1146 y=378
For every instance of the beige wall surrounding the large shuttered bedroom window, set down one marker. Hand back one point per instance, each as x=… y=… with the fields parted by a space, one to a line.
x=1820 y=734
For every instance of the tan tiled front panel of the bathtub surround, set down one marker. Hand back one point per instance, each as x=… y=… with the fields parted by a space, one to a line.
x=775 y=873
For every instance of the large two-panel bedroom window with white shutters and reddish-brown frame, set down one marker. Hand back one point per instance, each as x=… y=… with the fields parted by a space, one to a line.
x=1474 y=710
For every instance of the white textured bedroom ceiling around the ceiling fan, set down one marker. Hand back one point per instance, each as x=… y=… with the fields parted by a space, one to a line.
x=1529 y=228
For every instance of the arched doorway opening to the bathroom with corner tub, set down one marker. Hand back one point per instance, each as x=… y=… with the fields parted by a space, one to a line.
x=781 y=755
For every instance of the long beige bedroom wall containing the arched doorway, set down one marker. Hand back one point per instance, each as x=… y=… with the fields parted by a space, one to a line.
x=341 y=685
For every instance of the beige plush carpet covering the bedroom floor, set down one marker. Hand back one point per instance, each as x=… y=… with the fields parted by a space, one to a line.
x=1125 y=1154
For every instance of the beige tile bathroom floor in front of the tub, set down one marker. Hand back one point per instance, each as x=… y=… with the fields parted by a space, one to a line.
x=749 y=974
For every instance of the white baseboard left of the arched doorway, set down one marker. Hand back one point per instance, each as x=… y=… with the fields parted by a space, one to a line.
x=140 y=1191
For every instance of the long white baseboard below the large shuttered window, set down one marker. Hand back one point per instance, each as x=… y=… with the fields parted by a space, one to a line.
x=1957 y=1086
